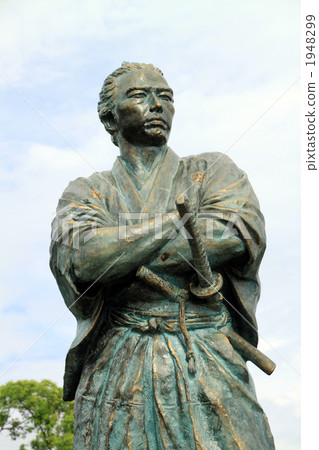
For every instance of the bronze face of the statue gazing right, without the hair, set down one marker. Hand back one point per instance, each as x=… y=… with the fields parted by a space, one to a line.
x=144 y=108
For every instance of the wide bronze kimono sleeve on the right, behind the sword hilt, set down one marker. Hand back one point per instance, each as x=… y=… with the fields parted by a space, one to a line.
x=227 y=193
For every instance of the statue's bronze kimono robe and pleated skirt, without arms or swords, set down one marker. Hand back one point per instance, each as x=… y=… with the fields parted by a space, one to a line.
x=126 y=367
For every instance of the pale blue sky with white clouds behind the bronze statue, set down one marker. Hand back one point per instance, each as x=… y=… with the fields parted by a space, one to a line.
x=234 y=68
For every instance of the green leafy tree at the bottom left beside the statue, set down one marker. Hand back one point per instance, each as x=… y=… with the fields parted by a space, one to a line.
x=28 y=406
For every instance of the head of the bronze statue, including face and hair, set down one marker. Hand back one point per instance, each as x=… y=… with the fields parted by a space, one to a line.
x=137 y=103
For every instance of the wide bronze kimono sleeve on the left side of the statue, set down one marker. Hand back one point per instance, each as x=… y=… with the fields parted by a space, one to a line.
x=81 y=209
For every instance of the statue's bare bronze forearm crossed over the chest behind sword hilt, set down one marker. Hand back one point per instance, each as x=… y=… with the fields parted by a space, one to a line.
x=110 y=257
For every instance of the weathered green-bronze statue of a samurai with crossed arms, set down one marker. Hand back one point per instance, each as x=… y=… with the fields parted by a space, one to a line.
x=165 y=324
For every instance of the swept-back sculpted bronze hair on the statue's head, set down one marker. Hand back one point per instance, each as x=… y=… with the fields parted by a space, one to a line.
x=109 y=92
